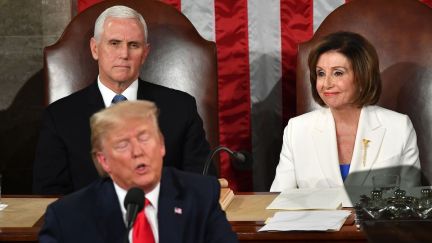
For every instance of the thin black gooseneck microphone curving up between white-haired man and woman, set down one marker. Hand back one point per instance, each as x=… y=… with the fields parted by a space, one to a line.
x=242 y=159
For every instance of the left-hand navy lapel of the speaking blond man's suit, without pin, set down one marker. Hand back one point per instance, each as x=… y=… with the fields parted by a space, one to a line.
x=109 y=219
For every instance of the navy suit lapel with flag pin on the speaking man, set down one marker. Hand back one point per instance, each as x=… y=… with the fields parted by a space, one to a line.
x=172 y=214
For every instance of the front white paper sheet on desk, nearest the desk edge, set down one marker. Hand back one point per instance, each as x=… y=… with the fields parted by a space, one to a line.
x=315 y=220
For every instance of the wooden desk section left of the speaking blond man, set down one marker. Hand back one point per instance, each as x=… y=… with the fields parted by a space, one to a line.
x=21 y=220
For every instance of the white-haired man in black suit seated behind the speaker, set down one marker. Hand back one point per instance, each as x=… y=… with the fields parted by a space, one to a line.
x=63 y=162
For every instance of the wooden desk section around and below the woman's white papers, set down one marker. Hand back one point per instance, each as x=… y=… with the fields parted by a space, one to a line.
x=247 y=214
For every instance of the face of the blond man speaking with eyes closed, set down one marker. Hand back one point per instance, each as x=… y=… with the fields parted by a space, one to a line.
x=132 y=154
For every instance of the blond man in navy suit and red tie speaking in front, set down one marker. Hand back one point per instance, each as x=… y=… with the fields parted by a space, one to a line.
x=128 y=150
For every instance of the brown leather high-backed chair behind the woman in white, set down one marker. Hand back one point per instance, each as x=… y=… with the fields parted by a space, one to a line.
x=401 y=32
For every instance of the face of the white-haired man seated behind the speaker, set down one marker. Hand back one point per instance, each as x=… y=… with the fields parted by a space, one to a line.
x=120 y=51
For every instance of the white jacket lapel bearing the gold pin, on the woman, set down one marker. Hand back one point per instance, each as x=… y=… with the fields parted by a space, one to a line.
x=369 y=138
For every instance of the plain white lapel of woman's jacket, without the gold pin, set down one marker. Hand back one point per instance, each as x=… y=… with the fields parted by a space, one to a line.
x=324 y=138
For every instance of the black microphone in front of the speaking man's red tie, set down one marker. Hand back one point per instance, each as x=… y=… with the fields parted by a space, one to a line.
x=134 y=202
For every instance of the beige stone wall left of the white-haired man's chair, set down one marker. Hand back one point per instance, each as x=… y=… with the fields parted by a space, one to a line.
x=26 y=27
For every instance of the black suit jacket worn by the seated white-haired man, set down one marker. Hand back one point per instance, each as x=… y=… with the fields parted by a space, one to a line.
x=63 y=162
